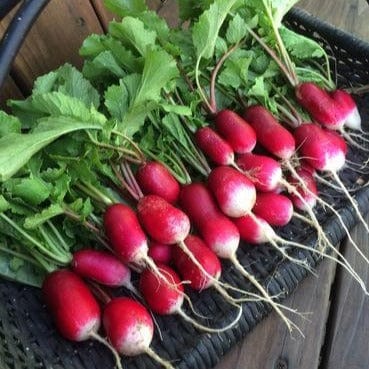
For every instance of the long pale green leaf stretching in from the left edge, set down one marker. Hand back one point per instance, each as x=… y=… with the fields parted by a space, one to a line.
x=16 y=148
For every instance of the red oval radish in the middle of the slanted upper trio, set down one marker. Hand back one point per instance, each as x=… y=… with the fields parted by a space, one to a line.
x=235 y=130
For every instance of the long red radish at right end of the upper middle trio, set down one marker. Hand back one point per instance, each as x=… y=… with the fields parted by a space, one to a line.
x=270 y=133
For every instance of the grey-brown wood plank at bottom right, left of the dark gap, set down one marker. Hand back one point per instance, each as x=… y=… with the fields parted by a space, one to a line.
x=270 y=345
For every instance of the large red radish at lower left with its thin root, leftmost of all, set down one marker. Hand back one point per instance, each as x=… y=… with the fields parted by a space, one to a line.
x=75 y=311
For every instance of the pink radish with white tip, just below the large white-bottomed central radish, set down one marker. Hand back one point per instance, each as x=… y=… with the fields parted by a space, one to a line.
x=252 y=231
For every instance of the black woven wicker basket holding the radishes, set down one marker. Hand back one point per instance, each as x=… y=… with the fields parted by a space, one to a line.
x=29 y=339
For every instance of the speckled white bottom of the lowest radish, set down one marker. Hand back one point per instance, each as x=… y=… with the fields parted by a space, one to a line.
x=136 y=341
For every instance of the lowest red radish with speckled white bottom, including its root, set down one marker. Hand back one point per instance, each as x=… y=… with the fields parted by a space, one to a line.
x=130 y=328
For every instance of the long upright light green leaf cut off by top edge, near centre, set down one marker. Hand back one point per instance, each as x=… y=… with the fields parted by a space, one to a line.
x=206 y=30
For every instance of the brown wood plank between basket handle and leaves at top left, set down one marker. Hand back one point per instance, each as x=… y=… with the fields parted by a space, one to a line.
x=54 y=39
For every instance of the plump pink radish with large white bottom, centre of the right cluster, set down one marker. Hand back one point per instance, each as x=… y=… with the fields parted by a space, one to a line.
x=235 y=194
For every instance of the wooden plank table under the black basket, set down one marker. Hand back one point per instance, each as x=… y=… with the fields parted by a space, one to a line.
x=337 y=328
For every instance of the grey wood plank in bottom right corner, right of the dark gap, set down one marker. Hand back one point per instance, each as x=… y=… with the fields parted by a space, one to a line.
x=347 y=345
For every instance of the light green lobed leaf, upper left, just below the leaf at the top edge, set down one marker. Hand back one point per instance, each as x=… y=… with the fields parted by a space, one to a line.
x=132 y=31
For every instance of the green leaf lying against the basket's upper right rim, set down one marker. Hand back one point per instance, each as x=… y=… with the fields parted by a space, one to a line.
x=300 y=46
